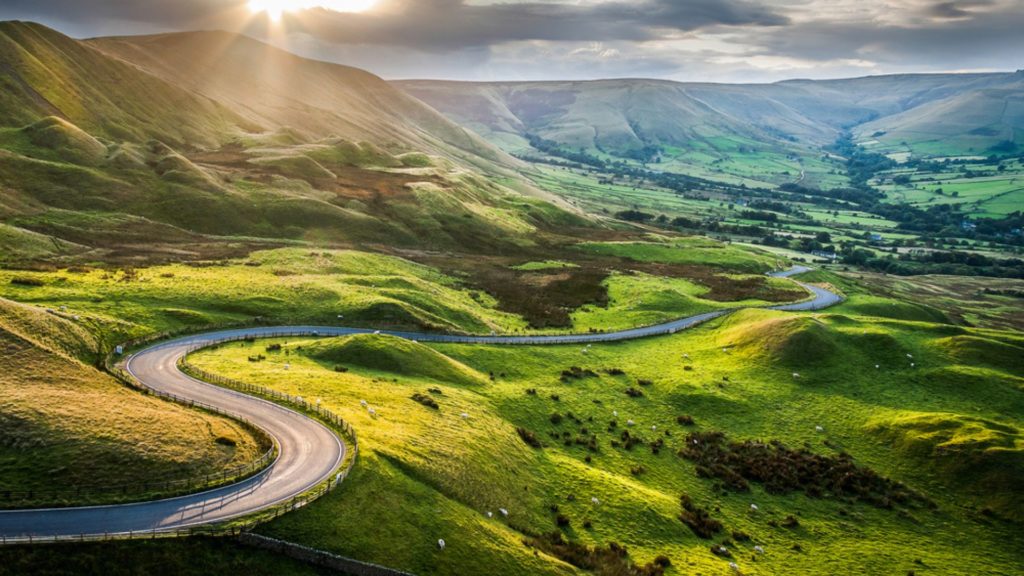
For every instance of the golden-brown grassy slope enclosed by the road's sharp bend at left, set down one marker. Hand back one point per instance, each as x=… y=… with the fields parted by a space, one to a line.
x=66 y=426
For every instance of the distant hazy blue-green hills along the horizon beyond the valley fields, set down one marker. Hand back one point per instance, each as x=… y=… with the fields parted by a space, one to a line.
x=687 y=127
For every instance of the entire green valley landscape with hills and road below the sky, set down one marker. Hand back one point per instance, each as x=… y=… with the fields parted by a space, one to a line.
x=612 y=327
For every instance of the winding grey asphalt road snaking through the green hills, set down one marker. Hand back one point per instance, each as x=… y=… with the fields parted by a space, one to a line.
x=309 y=451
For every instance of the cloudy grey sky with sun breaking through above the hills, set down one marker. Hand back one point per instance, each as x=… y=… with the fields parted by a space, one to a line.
x=686 y=40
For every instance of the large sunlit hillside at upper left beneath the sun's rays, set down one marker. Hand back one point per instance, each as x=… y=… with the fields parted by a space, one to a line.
x=142 y=149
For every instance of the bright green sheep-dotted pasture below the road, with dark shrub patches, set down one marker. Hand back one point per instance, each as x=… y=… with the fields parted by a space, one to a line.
x=428 y=474
